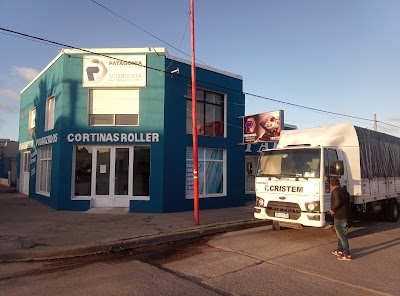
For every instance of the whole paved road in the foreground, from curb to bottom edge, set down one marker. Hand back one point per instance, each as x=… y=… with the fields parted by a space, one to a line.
x=257 y=261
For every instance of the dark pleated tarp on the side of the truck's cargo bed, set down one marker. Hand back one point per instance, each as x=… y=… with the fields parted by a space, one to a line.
x=379 y=154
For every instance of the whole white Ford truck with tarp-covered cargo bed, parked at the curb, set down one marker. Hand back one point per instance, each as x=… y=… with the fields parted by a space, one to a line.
x=292 y=184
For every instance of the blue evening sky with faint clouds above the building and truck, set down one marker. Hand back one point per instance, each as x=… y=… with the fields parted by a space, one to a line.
x=305 y=57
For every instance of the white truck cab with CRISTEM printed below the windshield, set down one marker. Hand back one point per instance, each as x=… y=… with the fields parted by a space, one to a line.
x=292 y=184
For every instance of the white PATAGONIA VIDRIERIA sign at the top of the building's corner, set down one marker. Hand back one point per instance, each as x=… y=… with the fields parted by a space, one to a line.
x=114 y=71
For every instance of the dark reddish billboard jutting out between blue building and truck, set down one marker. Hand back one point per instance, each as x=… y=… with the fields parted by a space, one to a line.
x=264 y=127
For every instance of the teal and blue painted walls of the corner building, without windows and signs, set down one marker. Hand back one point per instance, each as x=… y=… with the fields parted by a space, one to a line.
x=162 y=110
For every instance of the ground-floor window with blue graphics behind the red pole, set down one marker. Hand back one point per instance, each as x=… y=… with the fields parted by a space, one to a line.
x=212 y=179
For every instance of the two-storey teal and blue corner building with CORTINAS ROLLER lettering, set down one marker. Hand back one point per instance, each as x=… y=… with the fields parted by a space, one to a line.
x=112 y=128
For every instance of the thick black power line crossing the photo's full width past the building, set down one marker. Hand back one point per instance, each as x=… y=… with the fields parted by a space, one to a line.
x=33 y=38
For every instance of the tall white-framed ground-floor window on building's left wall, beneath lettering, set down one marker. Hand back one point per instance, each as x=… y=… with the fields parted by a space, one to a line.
x=43 y=179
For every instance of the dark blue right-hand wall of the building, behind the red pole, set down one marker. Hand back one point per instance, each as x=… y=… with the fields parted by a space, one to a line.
x=176 y=138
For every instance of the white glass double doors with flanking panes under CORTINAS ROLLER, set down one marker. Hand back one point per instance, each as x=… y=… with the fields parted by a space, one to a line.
x=99 y=169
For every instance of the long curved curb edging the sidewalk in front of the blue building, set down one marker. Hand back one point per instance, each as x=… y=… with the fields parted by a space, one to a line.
x=127 y=244
